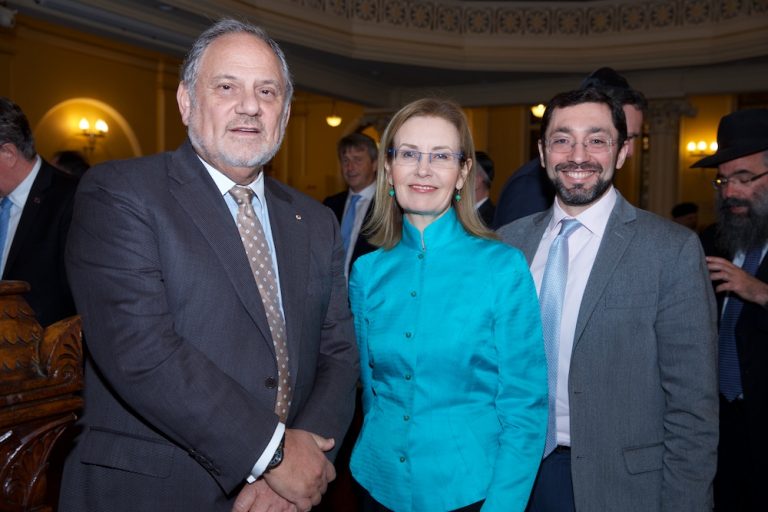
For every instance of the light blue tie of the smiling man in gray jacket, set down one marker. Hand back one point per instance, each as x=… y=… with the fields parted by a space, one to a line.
x=551 y=300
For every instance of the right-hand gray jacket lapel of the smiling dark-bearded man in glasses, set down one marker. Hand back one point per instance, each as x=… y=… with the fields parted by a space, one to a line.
x=619 y=232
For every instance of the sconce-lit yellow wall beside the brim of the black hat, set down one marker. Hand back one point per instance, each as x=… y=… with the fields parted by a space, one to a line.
x=695 y=185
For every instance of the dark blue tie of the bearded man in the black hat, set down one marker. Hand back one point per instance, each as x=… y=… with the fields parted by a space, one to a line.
x=730 y=373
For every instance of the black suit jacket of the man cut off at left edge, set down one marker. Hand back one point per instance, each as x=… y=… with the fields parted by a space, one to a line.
x=37 y=251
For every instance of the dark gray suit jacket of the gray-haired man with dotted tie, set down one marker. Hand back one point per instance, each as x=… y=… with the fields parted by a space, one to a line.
x=180 y=382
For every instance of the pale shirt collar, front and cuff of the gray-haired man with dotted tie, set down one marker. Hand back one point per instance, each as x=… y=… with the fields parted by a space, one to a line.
x=224 y=184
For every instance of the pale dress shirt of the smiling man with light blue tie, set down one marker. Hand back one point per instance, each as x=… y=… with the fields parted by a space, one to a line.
x=583 y=245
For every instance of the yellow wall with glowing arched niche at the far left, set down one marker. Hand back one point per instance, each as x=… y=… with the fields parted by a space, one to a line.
x=58 y=76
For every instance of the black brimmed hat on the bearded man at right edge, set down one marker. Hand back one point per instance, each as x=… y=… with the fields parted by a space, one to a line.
x=739 y=134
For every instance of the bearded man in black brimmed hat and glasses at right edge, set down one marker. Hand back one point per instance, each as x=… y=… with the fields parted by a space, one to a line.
x=739 y=271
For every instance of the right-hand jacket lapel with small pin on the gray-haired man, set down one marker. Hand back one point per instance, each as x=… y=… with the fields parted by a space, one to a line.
x=289 y=232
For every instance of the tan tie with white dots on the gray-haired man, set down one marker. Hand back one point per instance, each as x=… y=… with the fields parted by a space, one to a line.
x=260 y=259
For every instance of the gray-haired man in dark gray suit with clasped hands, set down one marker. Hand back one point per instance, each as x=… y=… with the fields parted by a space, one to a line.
x=222 y=360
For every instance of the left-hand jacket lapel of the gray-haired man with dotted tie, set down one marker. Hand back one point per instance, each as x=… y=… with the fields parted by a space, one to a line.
x=198 y=196
